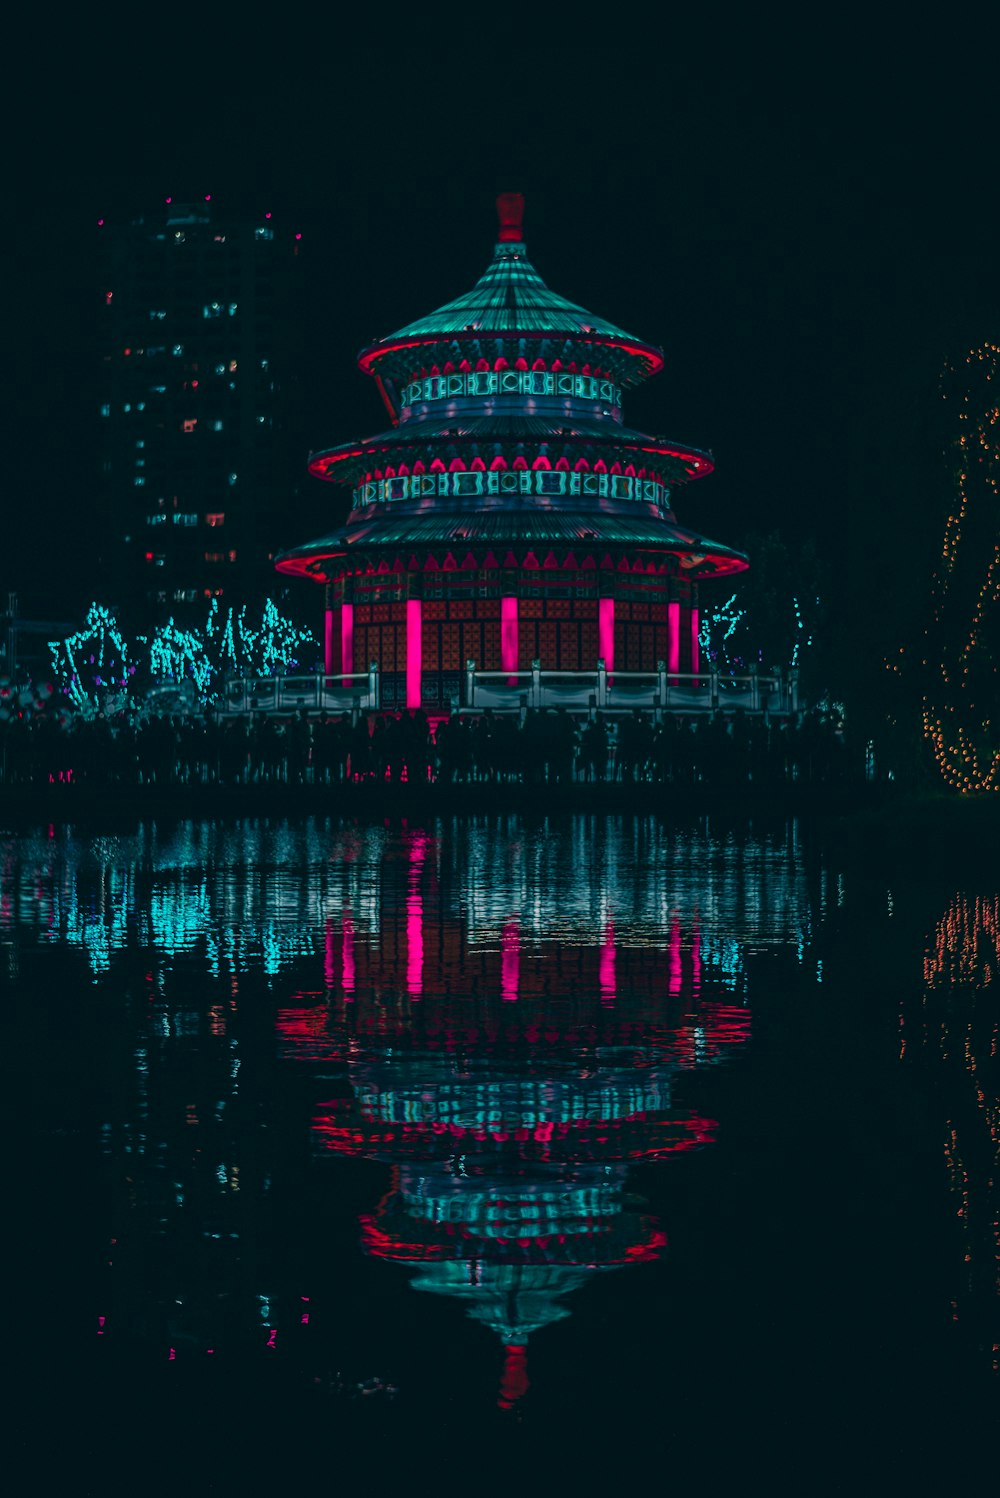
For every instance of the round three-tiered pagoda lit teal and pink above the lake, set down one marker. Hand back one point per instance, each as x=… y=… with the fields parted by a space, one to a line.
x=510 y=515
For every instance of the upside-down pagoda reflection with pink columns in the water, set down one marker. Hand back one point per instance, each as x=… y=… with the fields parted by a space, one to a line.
x=510 y=1088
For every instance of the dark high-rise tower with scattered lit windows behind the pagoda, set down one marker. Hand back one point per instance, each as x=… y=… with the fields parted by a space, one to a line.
x=197 y=371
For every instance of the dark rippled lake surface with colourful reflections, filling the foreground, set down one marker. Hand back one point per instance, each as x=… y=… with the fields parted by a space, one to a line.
x=501 y=1156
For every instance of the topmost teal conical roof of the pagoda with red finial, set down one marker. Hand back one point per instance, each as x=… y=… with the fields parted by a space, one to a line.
x=511 y=306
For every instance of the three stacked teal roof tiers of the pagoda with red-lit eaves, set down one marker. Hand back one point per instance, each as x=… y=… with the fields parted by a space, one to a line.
x=507 y=431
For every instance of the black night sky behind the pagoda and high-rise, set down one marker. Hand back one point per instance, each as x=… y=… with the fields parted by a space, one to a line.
x=802 y=212
